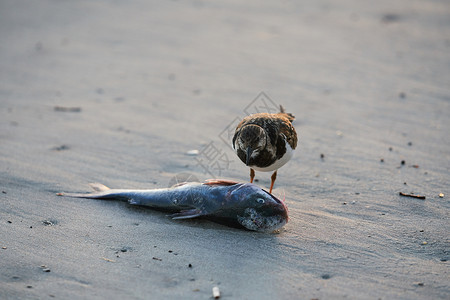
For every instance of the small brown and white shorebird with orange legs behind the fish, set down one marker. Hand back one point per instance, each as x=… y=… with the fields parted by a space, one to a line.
x=265 y=142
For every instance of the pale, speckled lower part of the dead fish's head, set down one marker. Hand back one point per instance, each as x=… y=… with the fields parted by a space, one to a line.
x=252 y=220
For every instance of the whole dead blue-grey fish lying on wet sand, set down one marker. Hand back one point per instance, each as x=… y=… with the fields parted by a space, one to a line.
x=226 y=202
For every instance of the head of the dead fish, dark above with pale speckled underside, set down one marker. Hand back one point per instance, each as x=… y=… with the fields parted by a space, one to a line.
x=259 y=210
